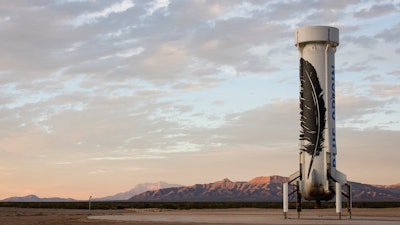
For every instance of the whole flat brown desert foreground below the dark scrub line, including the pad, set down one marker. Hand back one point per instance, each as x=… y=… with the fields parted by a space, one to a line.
x=27 y=216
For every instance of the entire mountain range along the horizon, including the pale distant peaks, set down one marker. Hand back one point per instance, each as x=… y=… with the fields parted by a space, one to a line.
x=259 y=189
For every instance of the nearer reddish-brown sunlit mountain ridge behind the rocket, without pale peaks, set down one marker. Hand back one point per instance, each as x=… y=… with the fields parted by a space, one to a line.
x=258 y=189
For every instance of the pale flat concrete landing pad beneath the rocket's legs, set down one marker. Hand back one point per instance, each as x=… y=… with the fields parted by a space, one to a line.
x=257 y=216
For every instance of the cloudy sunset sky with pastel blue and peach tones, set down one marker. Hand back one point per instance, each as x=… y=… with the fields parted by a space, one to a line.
x=99 y=96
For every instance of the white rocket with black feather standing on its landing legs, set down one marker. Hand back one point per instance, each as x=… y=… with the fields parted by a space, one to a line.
x=317 y=178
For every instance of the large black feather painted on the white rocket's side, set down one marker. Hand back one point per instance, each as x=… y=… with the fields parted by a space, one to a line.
x=312 y=110
